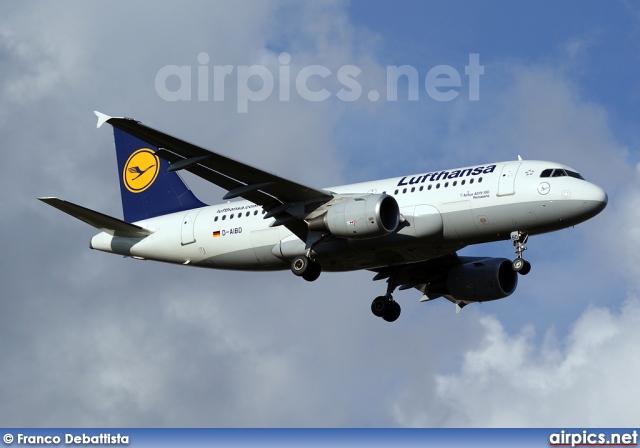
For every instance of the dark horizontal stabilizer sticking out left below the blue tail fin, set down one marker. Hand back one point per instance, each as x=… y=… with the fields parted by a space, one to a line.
x=105 y=223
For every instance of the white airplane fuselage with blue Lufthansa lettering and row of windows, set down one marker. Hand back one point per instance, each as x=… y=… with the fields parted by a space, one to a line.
x=441 y=212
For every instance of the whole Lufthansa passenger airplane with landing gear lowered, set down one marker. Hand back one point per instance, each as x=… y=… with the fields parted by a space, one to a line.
x=407 y=230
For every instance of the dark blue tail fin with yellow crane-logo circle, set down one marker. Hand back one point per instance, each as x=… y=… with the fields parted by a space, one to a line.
x=147 y=188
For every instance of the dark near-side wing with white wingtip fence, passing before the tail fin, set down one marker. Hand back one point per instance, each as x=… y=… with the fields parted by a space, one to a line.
x=286 y=200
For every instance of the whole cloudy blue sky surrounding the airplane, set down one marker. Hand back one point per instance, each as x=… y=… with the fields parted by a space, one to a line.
x=97 y=340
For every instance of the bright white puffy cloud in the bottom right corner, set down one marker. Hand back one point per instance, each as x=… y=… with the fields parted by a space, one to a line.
x=584 y=380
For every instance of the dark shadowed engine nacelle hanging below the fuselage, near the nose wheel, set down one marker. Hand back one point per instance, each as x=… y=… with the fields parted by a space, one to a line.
x=482 y=280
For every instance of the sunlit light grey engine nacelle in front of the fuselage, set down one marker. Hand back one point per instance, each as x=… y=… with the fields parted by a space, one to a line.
x=366 y=216
